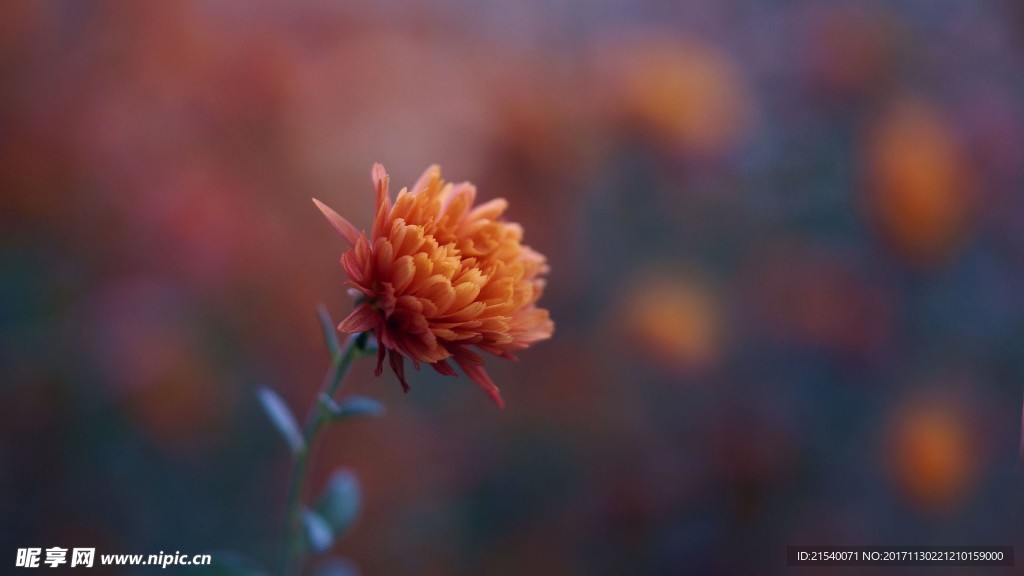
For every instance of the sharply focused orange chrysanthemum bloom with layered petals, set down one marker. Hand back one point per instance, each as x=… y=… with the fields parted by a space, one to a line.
x=439 y=277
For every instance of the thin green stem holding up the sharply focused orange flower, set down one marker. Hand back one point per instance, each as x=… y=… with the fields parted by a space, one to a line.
x=294 y=534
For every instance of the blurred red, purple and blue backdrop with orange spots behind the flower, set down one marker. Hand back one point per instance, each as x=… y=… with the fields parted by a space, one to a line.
x=787 y=243
